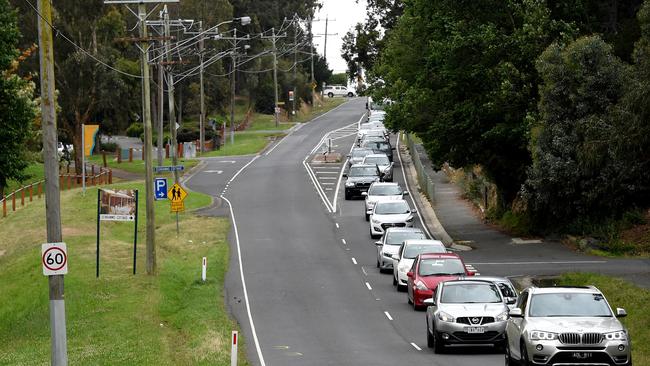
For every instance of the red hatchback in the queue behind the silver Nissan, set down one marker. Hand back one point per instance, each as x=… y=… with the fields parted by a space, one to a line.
x=428 y=271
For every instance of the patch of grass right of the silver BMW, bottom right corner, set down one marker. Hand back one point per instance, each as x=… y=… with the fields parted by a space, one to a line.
x=634 y=299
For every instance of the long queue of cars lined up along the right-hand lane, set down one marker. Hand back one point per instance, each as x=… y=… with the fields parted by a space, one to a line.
x=539 y=326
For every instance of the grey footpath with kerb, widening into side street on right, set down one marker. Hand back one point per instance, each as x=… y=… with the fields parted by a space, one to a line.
x=453 y=220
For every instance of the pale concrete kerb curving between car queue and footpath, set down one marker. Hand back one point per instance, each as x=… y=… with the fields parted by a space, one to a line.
x=426 y=209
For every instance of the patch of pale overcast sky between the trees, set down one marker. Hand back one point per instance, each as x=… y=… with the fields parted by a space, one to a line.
x=343 y=15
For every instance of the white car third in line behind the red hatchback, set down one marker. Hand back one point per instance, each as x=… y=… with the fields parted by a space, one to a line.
x=390 y=214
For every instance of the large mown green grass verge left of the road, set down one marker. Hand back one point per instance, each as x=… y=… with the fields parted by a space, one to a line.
x=168 y=319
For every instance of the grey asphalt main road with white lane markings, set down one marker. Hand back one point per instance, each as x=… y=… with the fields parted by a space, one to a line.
x=302 y=280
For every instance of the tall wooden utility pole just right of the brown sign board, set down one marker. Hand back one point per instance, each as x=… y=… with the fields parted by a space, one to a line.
x=148 y=148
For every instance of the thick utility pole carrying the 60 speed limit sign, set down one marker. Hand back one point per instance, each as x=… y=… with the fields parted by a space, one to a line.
x=59 y=354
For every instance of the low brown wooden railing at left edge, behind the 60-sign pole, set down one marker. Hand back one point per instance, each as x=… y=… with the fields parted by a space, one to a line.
x=66 y=181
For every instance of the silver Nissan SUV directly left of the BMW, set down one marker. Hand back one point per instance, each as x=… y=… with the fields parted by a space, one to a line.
x=466 y=312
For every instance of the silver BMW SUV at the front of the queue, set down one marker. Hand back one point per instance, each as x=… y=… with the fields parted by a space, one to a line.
x=566 y=326
